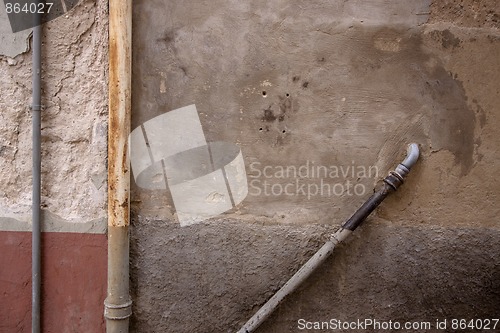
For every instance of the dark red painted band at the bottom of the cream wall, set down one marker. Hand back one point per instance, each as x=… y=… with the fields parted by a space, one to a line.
x=74 y=269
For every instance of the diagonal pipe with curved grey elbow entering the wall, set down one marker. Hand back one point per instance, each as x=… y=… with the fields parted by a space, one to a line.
x=391 y=183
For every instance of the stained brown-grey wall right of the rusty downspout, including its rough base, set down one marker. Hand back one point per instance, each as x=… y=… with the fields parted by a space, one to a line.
x=333 y=84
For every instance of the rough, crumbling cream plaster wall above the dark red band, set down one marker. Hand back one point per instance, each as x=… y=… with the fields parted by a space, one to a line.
x=74 y=122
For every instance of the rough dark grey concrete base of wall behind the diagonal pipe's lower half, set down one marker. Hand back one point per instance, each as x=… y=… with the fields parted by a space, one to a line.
x=213 y=277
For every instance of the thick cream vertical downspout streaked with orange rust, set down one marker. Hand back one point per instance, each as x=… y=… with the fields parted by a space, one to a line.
x=118 y=304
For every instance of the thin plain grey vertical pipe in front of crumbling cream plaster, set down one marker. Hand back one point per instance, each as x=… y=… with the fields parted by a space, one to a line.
x=36 y=174
